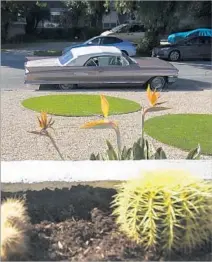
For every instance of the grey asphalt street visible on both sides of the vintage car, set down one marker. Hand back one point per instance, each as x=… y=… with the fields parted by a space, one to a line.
x=195 y=75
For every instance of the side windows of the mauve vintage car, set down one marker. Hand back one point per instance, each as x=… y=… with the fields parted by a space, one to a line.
x=107 y=61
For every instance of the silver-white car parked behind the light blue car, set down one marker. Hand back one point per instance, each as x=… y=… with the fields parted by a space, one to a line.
x=132 y=32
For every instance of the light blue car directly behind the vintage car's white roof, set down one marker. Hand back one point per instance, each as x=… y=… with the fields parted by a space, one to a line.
x=126 y=47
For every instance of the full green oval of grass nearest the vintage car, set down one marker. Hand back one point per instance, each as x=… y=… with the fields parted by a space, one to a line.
x=79 y=105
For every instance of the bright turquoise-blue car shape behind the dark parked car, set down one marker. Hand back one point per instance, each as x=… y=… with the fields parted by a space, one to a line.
x=173 y=38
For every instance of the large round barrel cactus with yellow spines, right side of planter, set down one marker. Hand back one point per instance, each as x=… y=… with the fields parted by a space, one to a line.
x=167 y=210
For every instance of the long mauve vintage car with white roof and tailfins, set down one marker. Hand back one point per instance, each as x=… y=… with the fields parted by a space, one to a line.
x=98 y=65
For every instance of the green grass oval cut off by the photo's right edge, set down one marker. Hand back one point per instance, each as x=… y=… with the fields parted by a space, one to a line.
x=184 y=131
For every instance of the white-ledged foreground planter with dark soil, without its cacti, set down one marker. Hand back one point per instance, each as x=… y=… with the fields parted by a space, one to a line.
x=74 y=223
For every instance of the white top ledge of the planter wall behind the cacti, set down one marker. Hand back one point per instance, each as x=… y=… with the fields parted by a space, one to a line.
x=75 y=171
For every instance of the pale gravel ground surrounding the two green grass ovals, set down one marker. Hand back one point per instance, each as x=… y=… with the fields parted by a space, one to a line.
x=78 y=144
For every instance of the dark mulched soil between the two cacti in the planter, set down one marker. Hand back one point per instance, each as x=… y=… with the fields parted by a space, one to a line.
x=76 y=224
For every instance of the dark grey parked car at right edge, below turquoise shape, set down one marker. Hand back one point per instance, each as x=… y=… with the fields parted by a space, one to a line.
x=199 y=47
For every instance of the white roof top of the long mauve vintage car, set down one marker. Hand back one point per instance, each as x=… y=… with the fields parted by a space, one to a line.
x=90 y=51
